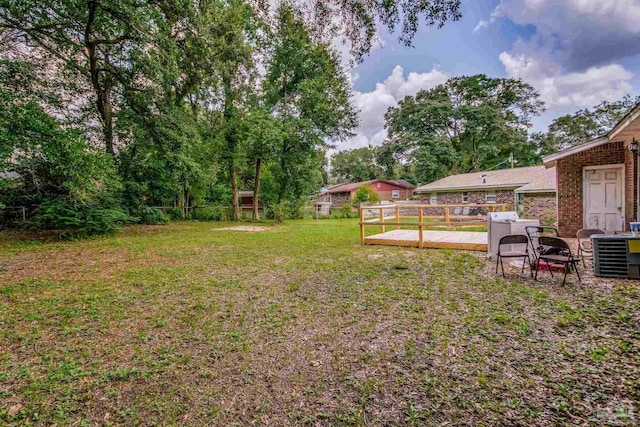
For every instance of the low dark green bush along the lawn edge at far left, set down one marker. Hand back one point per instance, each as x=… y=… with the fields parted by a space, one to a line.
x=78 y=221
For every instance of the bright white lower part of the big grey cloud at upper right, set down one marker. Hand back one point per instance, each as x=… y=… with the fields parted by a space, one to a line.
x=582 y=89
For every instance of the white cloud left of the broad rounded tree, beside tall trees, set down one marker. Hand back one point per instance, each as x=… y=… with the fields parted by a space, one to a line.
x=373 y=105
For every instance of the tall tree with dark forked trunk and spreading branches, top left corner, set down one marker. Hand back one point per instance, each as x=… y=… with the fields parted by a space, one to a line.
x=94 y=40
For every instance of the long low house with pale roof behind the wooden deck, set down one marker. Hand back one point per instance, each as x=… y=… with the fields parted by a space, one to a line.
x=529 y=190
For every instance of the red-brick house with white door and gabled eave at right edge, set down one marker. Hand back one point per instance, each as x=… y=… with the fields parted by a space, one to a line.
x=597 y=180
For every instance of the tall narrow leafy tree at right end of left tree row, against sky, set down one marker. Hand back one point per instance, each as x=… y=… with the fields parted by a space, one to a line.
x=306 y=89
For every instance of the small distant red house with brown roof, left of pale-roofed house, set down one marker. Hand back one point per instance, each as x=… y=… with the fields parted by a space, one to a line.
x=388 y=190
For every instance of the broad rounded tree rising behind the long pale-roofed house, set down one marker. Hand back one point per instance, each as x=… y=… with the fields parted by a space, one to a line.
x=467 y=124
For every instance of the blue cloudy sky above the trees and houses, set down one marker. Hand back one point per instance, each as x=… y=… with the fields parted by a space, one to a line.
x=575 y=53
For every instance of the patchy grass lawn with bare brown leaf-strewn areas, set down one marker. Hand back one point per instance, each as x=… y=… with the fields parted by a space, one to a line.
x=186 y=325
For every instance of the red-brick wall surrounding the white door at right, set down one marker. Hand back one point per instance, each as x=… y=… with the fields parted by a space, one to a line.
x=570 y=187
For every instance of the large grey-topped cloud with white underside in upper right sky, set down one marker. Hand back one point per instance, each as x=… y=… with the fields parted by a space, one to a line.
x=571 y=57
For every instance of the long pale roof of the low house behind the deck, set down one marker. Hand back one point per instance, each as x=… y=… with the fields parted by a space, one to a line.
x=527 y=179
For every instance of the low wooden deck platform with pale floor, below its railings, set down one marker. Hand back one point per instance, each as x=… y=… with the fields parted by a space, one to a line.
x=467 y=240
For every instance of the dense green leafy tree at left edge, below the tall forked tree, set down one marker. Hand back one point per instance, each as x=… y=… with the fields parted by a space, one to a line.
x=62 y=178
